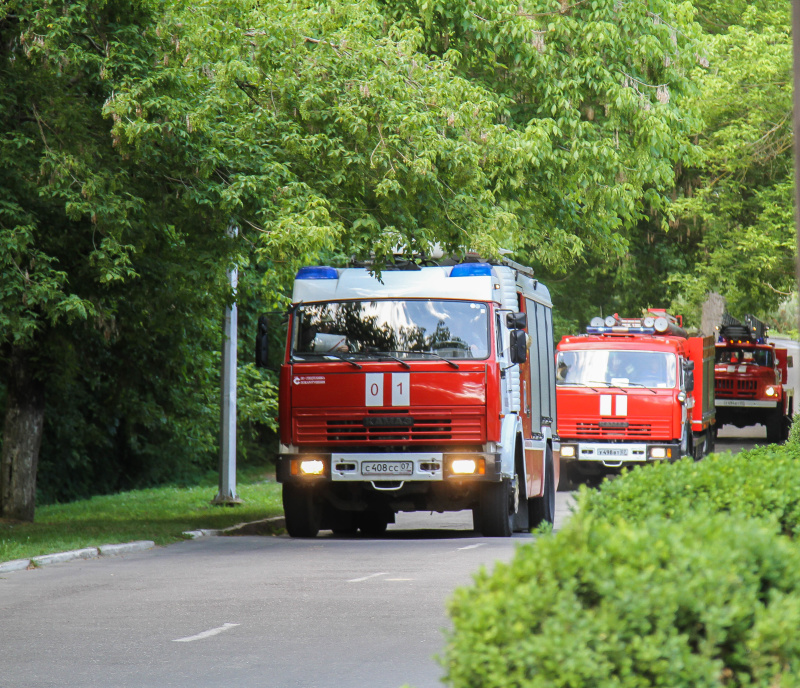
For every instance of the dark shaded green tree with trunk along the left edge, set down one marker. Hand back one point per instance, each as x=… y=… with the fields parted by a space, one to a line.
x=96 y=284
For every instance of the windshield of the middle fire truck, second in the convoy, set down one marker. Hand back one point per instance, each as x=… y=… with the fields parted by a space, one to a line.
x=616 y=368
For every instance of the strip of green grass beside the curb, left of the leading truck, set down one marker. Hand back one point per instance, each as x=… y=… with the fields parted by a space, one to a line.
x=160 y=514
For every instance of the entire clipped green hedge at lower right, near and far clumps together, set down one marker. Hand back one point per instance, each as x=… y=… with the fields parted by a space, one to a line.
x=684 y=574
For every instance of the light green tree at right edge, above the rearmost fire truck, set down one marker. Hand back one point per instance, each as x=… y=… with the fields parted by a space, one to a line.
x=740 y=200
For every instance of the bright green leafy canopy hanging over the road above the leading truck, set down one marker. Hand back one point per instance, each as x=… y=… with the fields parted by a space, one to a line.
x=355 y=127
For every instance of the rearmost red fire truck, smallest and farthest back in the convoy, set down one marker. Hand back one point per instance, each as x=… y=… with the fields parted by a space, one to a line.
x=751 y=376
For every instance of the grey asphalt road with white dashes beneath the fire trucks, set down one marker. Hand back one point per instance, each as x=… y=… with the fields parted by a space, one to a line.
x=255 y=611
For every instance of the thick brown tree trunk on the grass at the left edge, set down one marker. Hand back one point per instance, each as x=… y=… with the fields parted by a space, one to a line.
x=22 y=438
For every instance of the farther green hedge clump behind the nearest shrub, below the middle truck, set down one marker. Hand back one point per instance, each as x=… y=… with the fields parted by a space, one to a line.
x=761 y=483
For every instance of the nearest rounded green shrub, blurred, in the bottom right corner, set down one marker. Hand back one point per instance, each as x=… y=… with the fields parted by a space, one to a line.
x=706 y=602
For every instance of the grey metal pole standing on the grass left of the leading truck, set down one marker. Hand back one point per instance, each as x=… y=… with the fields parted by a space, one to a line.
x=227 y=451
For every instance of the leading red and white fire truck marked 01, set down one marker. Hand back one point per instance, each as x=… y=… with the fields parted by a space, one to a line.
x=423 y=389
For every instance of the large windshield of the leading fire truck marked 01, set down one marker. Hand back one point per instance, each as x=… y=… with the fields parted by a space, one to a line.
x=404 y=328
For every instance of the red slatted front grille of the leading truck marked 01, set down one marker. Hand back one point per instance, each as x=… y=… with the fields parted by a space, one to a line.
x=429 y=425
